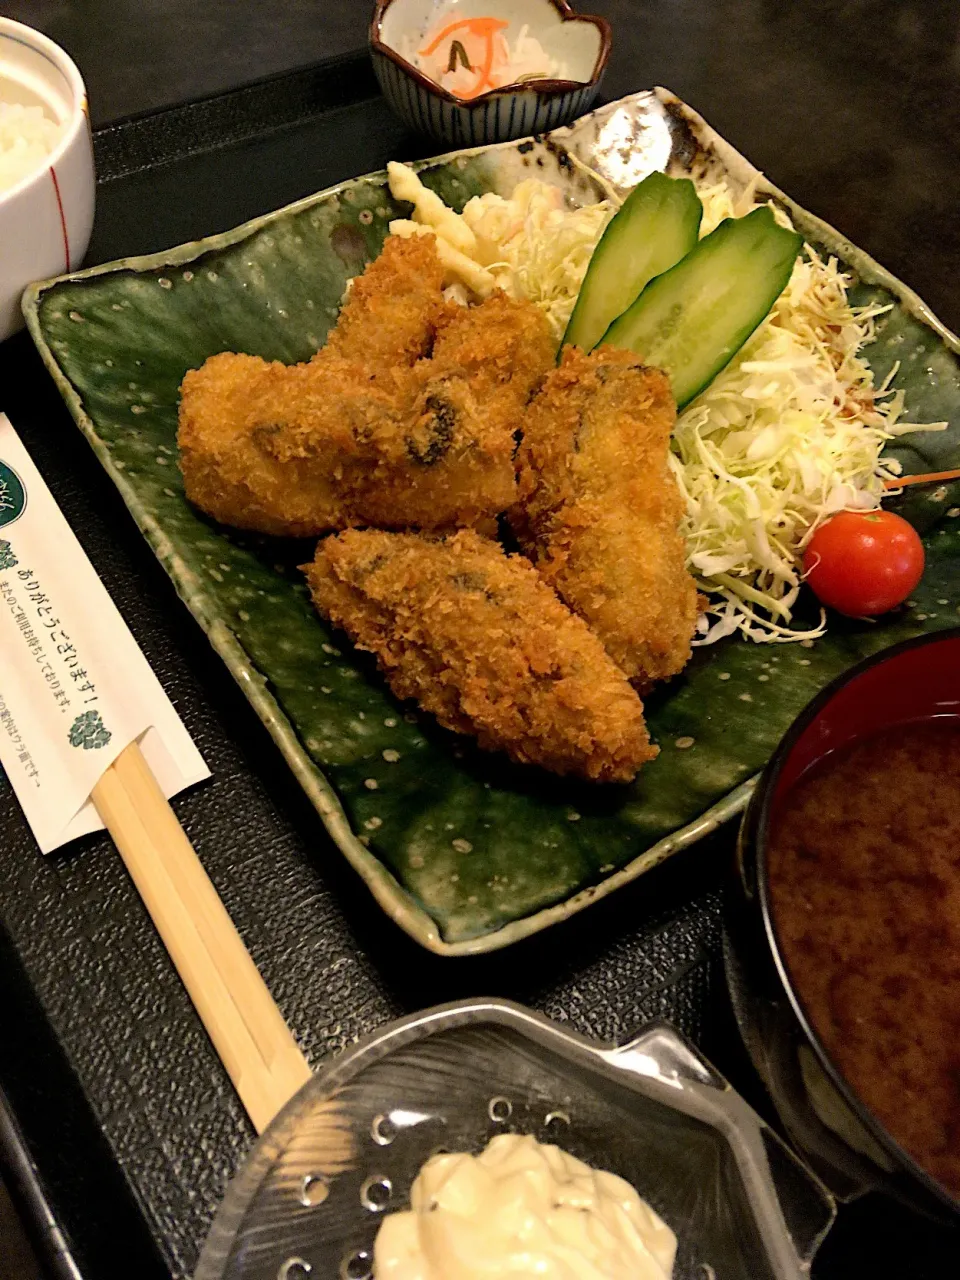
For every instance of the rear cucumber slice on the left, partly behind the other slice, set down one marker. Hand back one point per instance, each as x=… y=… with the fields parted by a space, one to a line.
x=656 y=226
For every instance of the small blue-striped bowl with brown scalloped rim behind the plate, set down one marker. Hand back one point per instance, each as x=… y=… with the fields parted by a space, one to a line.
x=579 y=42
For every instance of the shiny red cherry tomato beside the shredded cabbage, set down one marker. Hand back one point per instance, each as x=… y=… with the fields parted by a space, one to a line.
x=865 y=563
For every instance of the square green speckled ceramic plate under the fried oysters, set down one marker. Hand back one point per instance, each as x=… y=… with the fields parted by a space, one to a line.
x=467 y=852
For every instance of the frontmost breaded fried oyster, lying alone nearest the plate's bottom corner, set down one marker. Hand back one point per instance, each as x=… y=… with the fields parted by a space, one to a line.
x=479 y=641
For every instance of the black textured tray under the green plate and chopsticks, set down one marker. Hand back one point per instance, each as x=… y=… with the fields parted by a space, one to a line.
x=122 y=1128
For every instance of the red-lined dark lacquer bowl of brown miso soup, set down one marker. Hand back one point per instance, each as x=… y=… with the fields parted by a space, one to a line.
x=904 y=696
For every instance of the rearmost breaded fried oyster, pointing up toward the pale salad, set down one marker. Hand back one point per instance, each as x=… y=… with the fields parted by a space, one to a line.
x=392 y=310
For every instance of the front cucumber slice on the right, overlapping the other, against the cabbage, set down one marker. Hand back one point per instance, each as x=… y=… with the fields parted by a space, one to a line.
x=692 y=321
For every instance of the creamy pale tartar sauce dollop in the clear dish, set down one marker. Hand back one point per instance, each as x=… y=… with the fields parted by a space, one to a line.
x=523 y=1208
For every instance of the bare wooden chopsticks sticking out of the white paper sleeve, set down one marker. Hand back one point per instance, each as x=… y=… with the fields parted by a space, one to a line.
x=240 y=1014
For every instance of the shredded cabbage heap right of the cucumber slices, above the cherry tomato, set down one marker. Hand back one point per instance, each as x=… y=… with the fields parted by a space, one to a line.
x=790 y=433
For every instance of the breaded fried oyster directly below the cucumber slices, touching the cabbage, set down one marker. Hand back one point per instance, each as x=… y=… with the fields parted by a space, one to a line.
x=598 y=510
